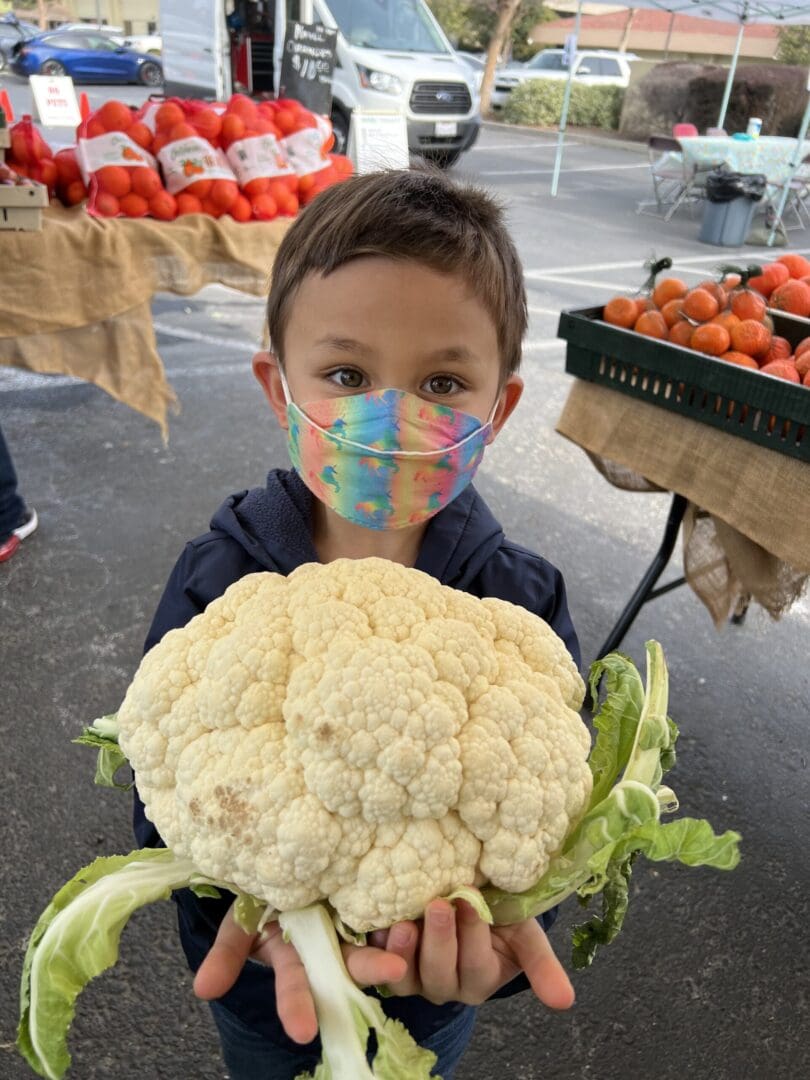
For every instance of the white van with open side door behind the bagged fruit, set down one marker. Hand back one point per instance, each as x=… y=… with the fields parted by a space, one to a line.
x=391 y=55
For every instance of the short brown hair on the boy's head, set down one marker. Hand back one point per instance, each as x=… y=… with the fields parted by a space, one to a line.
x=418 y=215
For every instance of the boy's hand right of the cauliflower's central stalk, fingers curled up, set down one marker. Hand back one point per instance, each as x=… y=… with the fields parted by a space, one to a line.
x=454 y=956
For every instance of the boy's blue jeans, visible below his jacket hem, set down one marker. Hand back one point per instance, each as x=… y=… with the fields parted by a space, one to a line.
x=250 y=1057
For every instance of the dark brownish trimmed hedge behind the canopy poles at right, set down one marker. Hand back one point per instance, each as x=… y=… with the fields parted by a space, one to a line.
x=693 y=93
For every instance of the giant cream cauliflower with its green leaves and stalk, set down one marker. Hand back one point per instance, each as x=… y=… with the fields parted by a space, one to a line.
x=342 y=747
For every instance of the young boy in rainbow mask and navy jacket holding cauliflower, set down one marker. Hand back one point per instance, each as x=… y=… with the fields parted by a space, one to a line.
x=397 y=316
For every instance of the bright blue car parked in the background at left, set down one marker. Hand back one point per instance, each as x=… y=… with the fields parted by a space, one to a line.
x=86 y=58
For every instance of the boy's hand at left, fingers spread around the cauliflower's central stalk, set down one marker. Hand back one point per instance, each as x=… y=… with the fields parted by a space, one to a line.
x=222 y=967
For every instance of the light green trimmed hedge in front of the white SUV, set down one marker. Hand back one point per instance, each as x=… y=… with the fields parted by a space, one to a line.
x=539 y=103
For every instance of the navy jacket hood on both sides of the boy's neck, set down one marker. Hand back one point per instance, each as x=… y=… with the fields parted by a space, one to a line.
x=273 y=524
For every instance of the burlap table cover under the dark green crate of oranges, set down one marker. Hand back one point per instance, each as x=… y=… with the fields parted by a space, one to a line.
x=748 y=525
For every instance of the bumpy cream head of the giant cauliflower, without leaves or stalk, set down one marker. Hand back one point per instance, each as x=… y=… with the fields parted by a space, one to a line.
x=361 y=734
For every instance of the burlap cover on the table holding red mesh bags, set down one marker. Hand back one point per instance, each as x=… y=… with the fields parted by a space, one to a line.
x=75 y=299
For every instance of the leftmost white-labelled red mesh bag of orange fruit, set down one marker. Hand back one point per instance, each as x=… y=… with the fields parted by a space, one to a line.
x=118 y=167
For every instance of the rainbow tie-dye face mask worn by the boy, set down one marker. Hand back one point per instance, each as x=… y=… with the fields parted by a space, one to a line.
x=385 y=460
